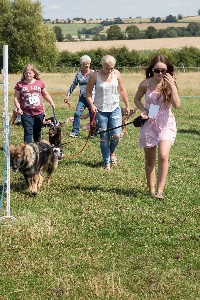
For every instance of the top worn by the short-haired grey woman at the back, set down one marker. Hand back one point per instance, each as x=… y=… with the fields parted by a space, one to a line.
x=82 y=81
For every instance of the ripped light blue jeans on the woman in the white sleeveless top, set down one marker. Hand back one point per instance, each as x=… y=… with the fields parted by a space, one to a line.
x=108 y=142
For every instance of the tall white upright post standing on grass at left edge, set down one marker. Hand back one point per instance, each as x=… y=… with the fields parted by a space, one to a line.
x=6 y=130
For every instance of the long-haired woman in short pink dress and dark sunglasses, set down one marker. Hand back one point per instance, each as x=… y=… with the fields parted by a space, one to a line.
x=161 y=95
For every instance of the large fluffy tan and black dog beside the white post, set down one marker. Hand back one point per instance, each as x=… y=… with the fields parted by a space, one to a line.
x=32 y=160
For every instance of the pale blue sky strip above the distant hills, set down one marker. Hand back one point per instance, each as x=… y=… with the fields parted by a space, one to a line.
x=63 y=9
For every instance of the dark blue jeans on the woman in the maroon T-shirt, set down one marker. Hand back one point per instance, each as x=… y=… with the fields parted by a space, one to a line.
x=32 y=127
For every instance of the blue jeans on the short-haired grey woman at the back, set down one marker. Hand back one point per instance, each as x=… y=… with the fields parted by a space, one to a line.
x=81 y=105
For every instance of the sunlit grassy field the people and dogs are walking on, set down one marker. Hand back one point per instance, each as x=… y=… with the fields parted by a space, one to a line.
x=98 y=235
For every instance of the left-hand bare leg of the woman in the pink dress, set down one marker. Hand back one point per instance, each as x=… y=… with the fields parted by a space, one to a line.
x=150 y=161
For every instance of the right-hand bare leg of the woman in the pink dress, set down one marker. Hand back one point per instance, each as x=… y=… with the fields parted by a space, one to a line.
x=163 y=164
